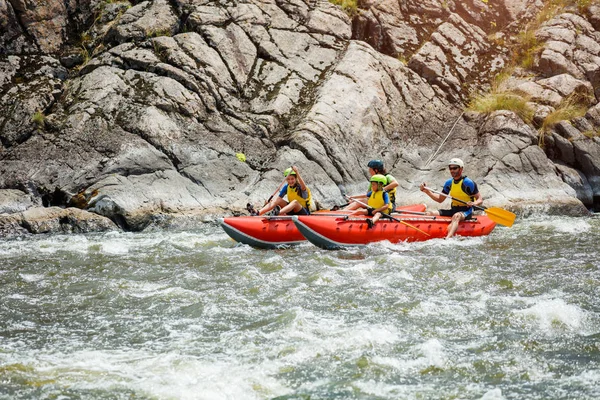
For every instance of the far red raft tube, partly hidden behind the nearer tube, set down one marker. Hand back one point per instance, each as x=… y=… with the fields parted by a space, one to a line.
x=267 y=232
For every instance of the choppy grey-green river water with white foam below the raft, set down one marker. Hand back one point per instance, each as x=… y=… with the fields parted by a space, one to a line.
x=192 y=315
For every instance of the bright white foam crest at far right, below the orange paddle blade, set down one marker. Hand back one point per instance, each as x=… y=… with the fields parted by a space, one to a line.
x=552 y=314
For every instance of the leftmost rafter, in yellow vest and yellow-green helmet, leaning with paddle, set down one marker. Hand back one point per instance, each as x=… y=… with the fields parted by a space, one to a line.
x=297 y=192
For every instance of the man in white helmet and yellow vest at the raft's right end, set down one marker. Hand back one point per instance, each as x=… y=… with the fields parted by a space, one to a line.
x=459 y=187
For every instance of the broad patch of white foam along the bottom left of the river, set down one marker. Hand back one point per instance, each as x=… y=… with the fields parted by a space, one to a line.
x=162 y=375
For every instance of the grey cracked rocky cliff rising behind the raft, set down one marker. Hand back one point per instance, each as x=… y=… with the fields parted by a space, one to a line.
x=131 y=113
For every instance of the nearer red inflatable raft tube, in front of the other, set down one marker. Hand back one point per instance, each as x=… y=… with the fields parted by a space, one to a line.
x=335 y=233
